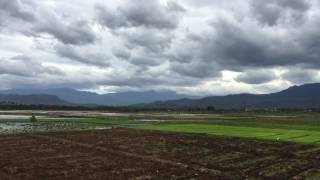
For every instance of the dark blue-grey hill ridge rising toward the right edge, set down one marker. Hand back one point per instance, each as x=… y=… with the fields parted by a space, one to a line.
x=304 y=96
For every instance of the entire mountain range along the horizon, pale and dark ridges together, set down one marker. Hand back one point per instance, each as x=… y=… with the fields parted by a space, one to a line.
x=304 y=96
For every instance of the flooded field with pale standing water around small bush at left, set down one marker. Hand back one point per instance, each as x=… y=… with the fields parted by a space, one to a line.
x=12 y=122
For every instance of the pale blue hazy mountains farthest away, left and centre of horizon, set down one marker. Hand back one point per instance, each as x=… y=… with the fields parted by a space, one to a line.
x=111 y=99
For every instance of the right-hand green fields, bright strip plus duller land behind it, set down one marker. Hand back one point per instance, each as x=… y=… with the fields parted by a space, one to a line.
x=300 y=128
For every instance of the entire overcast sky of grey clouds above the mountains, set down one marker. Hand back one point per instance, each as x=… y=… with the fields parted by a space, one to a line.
x=203 y=47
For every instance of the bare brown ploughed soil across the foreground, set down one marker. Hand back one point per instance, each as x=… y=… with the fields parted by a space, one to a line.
x=135 y=154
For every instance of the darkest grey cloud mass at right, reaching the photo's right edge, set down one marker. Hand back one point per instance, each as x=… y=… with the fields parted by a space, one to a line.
x=248 y=44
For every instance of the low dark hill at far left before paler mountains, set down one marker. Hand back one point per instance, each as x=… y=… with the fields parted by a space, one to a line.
x=40 y=99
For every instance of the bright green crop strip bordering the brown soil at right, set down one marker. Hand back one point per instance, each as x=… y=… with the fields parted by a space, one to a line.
x=292 y=135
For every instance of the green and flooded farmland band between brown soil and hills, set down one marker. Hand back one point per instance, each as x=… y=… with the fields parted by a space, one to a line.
x=298 y=127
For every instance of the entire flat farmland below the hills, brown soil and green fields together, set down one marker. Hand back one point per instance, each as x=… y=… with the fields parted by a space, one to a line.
x=98 y=145
